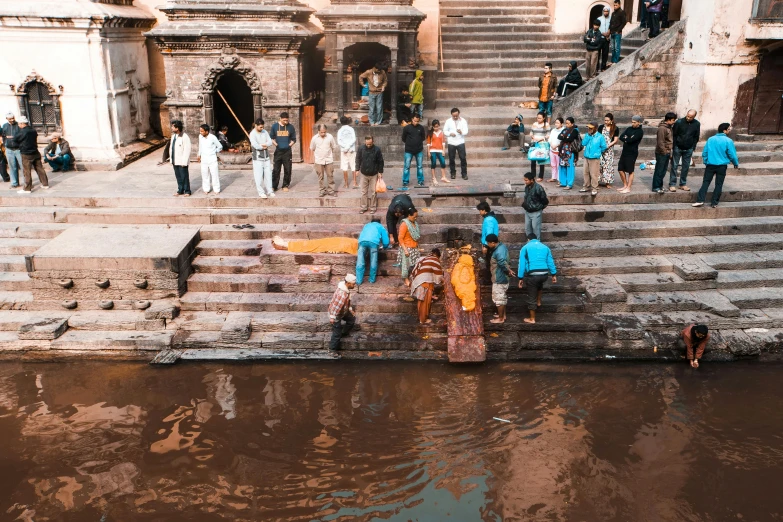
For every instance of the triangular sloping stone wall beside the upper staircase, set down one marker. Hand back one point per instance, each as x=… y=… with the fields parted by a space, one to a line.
x=646 y=83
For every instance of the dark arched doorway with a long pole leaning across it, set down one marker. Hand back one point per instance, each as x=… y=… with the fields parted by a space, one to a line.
x=239 y=96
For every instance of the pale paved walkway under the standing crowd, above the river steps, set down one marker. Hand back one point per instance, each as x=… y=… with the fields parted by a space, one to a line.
x=146 y=179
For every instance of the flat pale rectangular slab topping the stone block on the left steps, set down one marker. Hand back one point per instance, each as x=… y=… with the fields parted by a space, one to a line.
x=157 y=248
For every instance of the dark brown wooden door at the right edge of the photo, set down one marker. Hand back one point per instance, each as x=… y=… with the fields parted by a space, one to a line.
x=766 y=116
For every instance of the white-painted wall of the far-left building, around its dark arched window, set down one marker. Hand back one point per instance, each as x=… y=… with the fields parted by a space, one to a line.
x=92 y=71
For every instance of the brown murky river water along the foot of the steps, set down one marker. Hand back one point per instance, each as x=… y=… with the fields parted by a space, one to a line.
x=127 y=442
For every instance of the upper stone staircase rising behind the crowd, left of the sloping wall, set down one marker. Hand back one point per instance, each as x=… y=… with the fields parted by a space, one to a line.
x=494 y=51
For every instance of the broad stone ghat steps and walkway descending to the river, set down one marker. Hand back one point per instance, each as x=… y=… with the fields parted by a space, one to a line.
x=633 y=271
